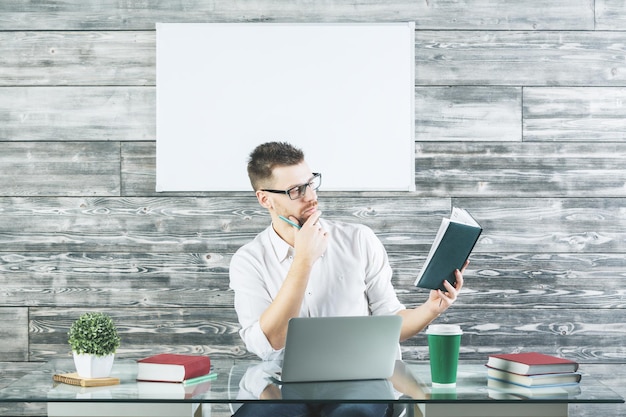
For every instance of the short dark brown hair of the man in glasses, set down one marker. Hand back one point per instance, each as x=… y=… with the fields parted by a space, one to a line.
x=267 y=156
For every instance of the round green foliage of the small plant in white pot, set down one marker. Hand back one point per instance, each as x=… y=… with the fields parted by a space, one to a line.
x=95 y=334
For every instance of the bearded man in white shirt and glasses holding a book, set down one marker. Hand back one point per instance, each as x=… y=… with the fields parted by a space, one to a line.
x=303 y=265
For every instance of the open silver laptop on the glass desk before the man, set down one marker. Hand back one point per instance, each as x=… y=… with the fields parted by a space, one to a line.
x=340 y=348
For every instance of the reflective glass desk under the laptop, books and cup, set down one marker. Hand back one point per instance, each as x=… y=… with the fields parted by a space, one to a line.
x=243 y=381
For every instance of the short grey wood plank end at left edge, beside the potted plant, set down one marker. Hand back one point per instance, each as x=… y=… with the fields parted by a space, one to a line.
x=14 y=333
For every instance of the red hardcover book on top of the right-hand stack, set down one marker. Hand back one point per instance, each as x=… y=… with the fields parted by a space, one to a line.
x=531 y=363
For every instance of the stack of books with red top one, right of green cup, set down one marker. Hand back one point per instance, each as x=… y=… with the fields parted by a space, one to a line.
x=532 y=374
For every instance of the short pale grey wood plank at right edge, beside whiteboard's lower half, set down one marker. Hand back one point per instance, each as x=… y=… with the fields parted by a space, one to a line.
x=586 y=114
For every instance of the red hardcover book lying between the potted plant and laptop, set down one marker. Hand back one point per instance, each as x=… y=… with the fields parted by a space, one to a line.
x=172 y=367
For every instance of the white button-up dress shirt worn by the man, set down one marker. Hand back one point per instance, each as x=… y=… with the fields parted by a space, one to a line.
x=352 y=278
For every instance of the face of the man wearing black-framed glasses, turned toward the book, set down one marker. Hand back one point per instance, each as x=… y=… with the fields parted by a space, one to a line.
x=287 y=177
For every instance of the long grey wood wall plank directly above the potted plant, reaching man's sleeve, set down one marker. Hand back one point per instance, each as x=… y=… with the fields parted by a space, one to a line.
x=115 y=279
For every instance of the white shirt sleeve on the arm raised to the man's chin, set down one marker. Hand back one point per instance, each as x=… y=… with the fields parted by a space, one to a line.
x=251 y=300
